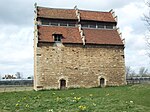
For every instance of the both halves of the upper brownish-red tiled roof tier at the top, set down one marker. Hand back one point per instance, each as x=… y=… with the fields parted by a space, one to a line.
x=71 y=14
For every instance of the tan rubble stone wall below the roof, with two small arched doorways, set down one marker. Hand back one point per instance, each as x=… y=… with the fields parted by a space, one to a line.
x=79 y=66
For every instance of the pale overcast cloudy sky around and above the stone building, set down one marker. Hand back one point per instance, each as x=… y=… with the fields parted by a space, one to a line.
x=16 y=30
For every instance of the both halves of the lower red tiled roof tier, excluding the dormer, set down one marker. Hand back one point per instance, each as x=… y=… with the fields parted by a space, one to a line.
x=71 y=35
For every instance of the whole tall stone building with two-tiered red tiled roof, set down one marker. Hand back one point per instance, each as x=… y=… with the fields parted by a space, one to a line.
x=77 y=48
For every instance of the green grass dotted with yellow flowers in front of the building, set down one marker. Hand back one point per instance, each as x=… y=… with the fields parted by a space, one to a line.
x=134 y=98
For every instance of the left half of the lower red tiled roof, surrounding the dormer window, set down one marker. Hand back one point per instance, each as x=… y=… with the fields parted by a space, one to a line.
x=70 y=34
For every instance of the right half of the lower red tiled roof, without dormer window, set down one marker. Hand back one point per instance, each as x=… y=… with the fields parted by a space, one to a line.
x=101 y=36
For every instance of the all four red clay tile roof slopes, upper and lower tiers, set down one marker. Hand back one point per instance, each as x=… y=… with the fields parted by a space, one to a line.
x=71 y=34
